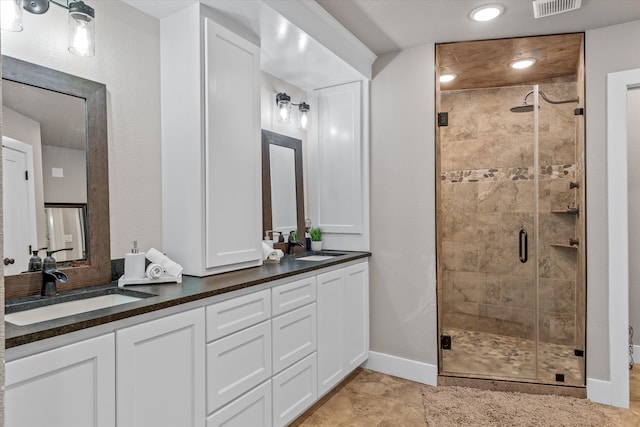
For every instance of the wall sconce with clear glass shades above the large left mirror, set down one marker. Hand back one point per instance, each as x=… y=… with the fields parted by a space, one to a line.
x=81 y=21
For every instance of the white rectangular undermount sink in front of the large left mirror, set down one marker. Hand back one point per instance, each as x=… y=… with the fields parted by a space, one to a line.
x=39 y=309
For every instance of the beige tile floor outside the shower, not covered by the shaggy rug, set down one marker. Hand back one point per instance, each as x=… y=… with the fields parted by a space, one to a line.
x=369 y=398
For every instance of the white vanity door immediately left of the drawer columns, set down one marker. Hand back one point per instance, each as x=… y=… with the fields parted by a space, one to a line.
x=160 y=375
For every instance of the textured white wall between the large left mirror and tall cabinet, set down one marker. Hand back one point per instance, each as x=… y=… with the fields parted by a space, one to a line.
x=127 y=60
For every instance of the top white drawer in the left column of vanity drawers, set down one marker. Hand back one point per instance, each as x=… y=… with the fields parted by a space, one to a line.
x=230 y=316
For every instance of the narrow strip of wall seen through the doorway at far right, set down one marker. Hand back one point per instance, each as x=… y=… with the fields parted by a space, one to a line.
x=633 y=137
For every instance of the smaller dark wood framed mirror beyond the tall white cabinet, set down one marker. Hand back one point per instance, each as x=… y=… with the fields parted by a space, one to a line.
x=282 y=184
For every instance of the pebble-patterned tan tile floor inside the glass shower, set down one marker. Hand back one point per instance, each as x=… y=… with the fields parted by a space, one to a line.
x=503 y=357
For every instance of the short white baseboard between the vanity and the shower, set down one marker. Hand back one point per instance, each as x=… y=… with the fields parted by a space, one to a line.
x=404 y=368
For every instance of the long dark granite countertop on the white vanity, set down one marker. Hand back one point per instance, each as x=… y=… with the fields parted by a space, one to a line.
x=169 y=295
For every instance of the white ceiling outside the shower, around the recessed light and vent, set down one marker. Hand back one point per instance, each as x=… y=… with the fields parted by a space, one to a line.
x=390 y=25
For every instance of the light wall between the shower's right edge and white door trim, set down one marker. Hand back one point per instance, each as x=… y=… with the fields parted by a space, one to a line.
x=607 y=50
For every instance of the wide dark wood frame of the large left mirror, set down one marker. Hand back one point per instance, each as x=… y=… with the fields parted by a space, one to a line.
x=97 y=267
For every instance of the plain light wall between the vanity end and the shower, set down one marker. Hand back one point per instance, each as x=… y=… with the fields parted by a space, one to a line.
x=403 y=265
